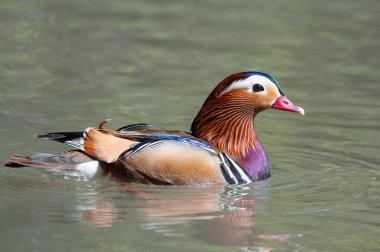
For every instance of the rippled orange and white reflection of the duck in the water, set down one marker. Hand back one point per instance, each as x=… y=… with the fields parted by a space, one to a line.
x=220 y=215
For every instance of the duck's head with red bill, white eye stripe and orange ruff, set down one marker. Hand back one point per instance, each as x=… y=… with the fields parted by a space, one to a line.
x=226 y=117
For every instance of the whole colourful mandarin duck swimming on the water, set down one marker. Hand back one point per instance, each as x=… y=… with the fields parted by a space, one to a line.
x=222 y=147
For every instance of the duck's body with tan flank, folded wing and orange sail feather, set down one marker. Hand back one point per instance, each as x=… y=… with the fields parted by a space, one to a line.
x=164 y=157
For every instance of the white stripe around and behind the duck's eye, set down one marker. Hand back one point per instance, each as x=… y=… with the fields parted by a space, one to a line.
x=249 y=82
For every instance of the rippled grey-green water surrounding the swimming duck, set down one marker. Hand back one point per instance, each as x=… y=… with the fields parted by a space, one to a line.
x=66 y=65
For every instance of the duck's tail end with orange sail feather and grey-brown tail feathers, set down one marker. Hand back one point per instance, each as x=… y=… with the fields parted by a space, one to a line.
x=92 y=144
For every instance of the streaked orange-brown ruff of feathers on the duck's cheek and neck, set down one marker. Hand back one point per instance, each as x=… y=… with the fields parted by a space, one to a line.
x=227 y=122
